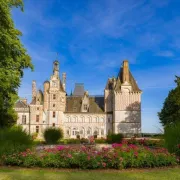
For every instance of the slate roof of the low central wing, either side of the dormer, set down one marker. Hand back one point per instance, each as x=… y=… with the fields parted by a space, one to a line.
x=73 y=104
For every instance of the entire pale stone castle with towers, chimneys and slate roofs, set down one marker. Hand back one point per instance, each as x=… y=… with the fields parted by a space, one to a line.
x=118 y=111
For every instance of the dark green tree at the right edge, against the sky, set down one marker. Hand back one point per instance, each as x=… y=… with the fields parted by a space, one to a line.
x=170 y=112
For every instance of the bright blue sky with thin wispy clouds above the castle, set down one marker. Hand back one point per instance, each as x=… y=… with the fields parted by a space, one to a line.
x=93 y=37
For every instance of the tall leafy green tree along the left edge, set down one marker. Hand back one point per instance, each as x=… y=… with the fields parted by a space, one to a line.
x=13 y=60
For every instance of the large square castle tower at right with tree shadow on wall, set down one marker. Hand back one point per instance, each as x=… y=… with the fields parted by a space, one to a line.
x=127 y=103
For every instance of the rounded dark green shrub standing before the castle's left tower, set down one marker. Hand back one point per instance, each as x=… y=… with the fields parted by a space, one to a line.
x=52 y=135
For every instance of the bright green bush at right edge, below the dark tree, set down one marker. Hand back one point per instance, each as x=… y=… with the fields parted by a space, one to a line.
x=172 y=138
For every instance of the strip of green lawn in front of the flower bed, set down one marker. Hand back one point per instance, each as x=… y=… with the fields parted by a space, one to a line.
x=32 y=174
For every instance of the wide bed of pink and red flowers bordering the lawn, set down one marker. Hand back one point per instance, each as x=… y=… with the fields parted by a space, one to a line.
x=119 y=156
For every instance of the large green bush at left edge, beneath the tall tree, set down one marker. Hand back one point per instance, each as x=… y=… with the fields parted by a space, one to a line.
x=14 y=140
